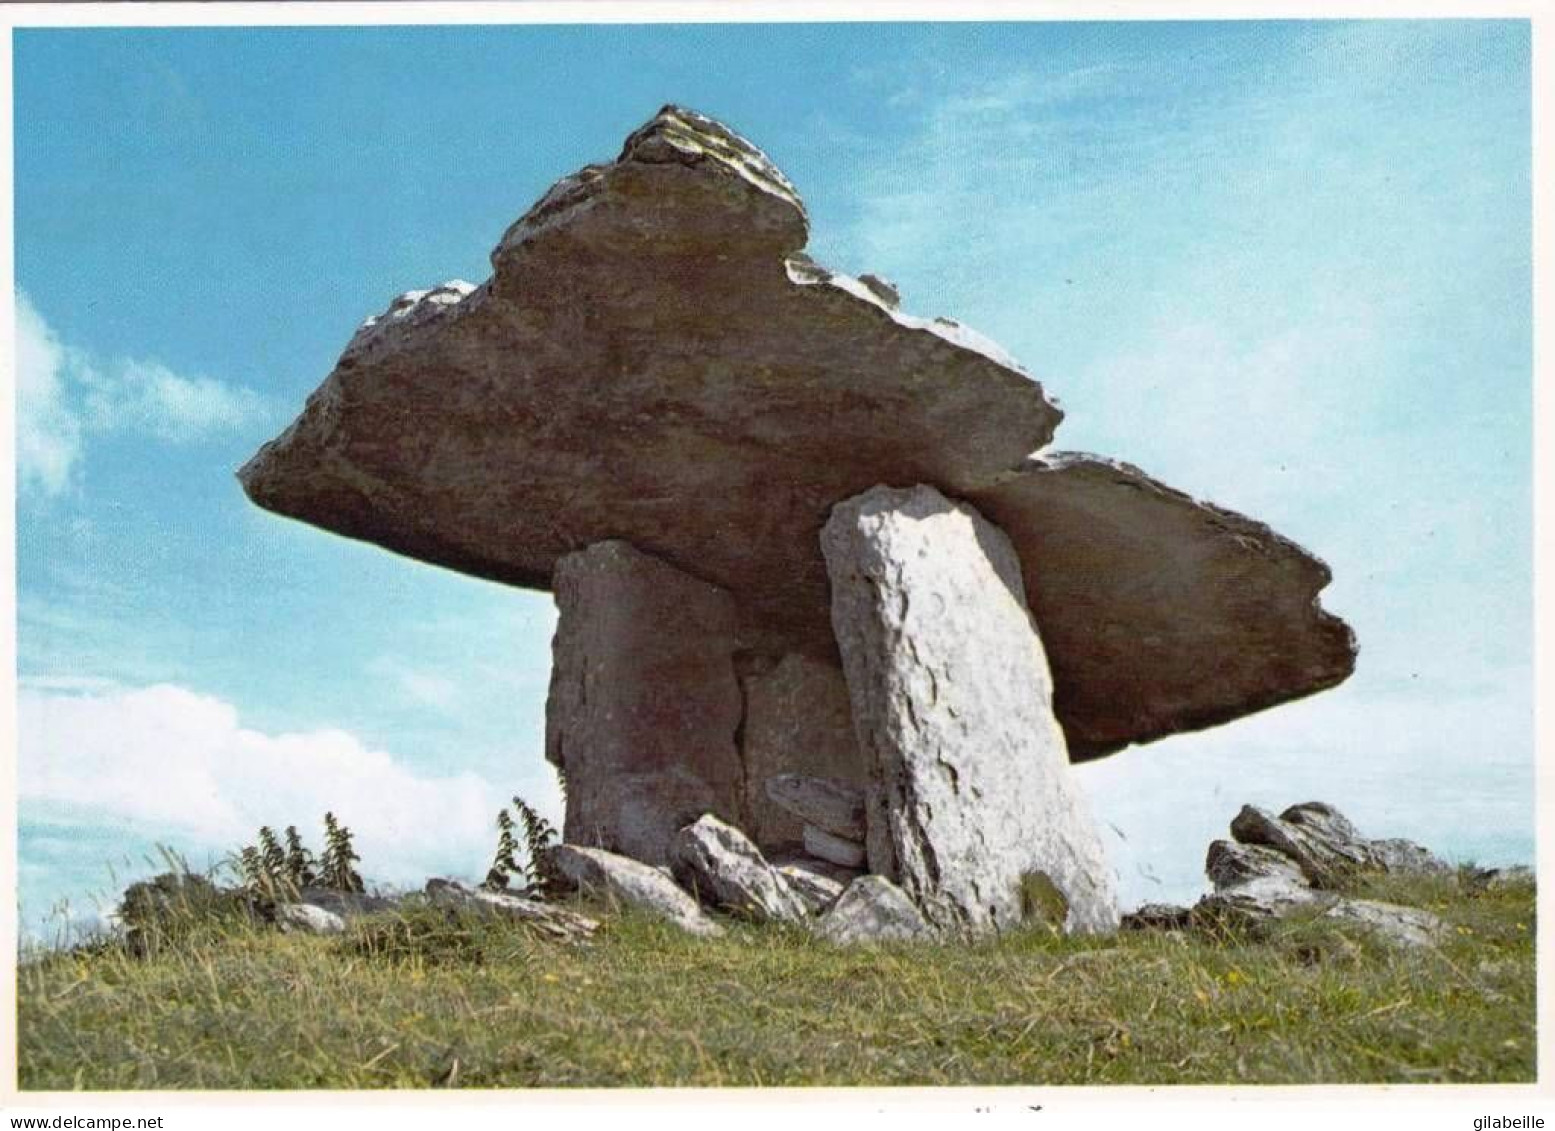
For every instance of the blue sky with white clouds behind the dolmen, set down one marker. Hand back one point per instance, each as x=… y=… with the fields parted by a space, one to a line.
x=1284 y=267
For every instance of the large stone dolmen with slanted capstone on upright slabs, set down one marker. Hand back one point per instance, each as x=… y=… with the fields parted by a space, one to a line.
x=819 y=573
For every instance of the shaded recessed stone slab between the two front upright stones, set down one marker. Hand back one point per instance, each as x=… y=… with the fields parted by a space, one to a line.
x=797 y=721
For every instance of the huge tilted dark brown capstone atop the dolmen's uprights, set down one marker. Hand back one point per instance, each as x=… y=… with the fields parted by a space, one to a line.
x=657 y=360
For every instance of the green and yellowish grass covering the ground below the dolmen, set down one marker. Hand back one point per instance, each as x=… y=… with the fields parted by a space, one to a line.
x=421 y=1000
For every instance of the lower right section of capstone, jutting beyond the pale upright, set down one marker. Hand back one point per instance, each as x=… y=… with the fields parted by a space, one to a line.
x=1161 y=614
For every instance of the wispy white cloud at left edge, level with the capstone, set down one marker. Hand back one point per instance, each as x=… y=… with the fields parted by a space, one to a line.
x=65 y=397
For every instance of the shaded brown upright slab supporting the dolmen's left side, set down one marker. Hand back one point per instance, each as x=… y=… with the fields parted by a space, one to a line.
x=645 y=702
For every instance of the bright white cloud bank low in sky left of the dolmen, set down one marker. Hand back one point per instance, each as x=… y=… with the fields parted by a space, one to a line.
x=172 y=760
